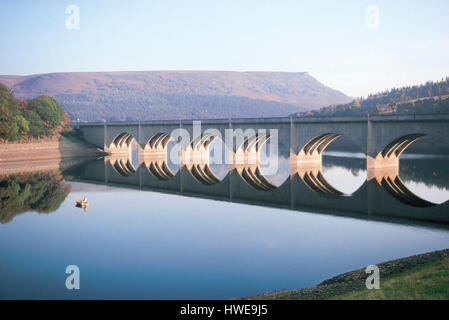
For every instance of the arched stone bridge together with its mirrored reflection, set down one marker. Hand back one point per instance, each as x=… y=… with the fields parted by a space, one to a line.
x=383 y=139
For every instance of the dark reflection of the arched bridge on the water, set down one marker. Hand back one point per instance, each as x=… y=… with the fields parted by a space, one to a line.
x=382 y=198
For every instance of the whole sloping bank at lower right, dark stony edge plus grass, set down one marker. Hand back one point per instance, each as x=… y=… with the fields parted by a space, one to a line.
x=424 y=276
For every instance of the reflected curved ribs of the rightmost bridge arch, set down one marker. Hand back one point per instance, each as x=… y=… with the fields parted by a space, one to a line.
x=396 y=187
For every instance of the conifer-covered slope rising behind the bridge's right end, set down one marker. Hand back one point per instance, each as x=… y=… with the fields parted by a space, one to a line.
x=431 y=97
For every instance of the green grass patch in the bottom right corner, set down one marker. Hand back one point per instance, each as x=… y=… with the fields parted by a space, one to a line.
x=425 y=282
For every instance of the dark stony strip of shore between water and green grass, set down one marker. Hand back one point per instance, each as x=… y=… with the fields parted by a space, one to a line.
x=351 y=281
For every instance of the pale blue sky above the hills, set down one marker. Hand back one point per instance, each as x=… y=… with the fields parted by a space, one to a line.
x=329 y=39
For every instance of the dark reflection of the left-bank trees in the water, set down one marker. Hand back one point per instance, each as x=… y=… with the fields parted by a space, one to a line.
x=40 y=191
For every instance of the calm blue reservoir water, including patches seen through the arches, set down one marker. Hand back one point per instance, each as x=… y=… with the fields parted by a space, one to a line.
x=133 y=243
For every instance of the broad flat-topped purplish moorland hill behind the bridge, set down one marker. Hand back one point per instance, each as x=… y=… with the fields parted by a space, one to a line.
x=146 y=95
